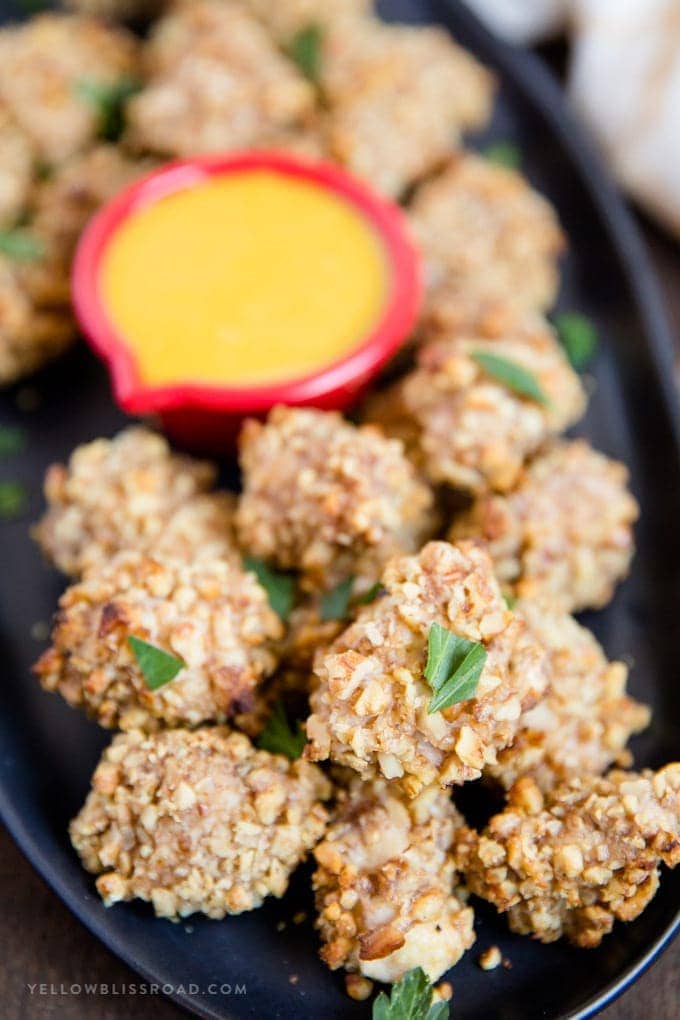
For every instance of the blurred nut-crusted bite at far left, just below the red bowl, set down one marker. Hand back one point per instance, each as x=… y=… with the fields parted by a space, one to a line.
x=131 y=492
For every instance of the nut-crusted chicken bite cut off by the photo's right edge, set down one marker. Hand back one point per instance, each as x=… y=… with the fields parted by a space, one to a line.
x=586 y=856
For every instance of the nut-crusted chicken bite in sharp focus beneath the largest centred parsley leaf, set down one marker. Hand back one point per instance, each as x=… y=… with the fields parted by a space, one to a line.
x=370 y=710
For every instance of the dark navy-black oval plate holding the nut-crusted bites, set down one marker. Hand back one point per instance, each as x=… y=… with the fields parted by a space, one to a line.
x=48 y=752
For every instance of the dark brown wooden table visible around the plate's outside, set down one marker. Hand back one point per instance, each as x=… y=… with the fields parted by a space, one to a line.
x=42 y=943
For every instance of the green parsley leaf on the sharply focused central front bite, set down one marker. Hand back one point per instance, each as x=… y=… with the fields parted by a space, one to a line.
x=453 y=669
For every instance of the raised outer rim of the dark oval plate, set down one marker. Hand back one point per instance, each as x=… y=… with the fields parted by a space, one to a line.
x=540 y=86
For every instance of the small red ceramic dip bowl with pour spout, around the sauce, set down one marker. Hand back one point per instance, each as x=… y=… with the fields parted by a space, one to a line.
x=207 y=417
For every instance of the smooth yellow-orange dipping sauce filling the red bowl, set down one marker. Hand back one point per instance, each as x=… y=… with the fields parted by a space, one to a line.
x=248 y=279
